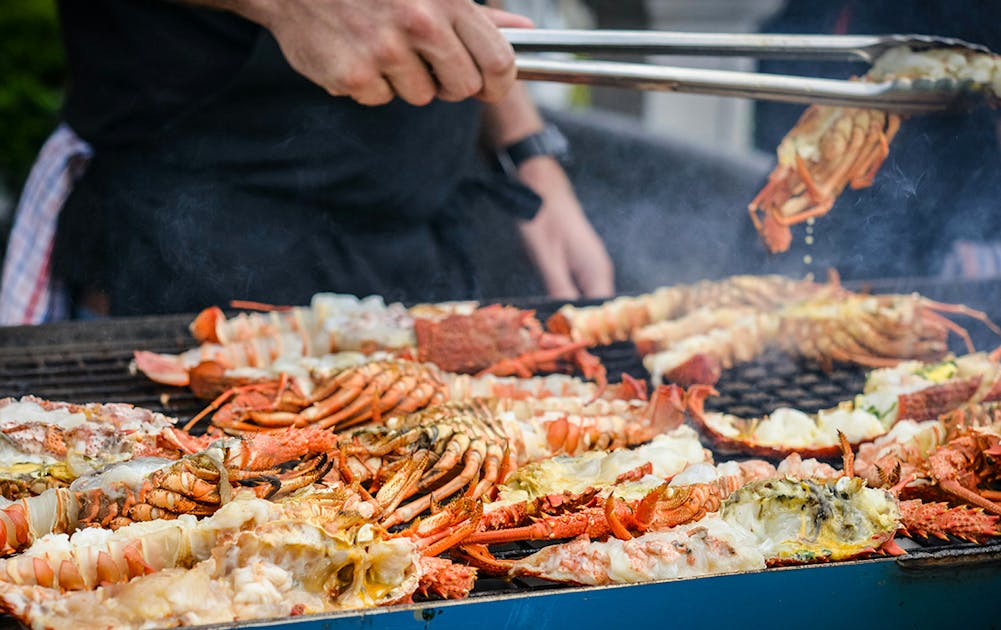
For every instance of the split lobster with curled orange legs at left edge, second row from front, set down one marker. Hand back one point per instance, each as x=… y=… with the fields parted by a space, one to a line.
x=149 y=488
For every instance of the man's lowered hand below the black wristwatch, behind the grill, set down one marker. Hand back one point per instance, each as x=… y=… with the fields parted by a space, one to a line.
x=561 y=242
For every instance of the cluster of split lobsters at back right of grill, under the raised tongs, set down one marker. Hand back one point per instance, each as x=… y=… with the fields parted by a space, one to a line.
x=691 y=334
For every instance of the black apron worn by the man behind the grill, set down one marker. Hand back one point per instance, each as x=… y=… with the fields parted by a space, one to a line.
x=271 y=190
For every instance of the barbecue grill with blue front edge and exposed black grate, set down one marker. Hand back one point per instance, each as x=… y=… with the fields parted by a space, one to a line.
x=89 y=361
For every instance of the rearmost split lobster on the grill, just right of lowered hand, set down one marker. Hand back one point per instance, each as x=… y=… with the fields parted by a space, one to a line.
x=619 y=319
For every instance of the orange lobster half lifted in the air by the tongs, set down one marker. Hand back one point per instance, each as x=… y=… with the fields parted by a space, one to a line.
x=833 y=148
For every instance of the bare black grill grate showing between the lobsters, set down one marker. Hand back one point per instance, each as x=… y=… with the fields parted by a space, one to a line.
x=90 y=361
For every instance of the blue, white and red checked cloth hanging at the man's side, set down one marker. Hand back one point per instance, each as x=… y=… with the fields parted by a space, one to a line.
x=29 y=294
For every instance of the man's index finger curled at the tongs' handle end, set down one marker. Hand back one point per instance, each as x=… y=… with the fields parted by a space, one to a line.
x=491 y=53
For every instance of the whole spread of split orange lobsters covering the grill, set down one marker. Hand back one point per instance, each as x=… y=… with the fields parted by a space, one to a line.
x=381 y=474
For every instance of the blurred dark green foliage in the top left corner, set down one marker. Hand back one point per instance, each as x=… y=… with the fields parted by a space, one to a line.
x=33 y=73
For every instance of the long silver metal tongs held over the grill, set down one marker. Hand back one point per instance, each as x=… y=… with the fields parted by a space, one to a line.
x=898 y=96
